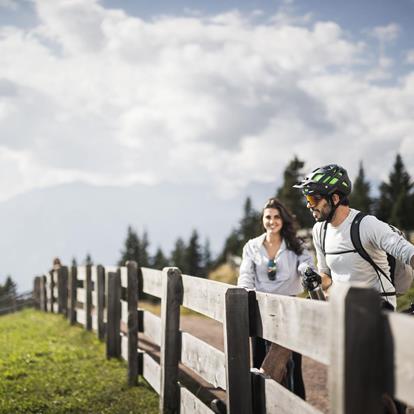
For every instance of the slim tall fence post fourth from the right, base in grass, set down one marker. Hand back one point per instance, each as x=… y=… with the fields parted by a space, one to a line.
x=132 y=297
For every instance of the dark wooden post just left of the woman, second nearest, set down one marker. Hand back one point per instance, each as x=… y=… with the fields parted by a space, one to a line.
x=236 y=349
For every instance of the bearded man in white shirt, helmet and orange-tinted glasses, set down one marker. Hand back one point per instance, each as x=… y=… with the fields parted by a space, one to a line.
x=327 y=189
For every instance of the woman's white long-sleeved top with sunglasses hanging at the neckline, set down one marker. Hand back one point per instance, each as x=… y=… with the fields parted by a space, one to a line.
x=253 y=269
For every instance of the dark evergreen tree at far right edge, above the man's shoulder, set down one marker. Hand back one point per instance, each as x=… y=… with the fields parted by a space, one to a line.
x=395 y=203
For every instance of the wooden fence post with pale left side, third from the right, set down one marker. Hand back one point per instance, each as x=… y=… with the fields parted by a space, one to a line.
x=172 y=298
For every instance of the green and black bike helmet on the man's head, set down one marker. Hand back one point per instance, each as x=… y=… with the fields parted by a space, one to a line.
x=326 y=180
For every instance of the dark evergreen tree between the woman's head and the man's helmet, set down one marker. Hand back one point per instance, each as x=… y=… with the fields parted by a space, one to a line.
x=293 y=198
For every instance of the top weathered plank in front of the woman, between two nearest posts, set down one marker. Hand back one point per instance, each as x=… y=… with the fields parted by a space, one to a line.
x=294 y=323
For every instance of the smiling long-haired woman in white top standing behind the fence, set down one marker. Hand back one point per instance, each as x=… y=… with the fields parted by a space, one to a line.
x=270 y=264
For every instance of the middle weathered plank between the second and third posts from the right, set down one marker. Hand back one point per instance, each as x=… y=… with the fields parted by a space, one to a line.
x=204 y=359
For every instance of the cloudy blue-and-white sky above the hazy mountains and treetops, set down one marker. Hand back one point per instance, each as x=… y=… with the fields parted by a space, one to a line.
x=217 y=94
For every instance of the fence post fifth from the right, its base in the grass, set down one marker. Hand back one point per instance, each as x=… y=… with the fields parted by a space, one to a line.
x=113 y=331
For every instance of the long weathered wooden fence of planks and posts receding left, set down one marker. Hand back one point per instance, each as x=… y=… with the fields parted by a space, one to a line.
x=367 y=351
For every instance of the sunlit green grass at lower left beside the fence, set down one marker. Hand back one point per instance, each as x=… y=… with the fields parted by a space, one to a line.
x=46 y=366
